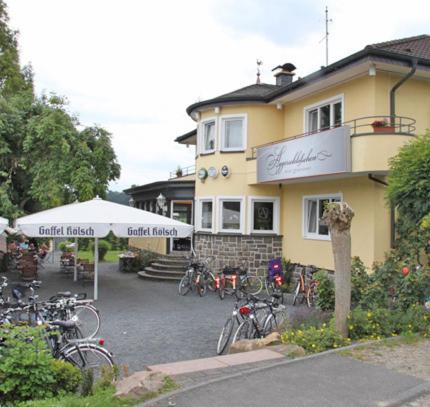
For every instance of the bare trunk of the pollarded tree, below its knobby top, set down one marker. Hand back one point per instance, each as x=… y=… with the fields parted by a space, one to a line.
x=341 y=244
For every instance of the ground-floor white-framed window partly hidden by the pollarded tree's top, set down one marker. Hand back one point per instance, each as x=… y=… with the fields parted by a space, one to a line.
x=313 y=209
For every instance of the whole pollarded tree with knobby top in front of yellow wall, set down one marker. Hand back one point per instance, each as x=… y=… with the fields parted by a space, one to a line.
x=338 y=217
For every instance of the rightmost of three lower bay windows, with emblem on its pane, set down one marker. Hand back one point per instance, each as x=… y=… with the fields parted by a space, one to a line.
x=264 y=214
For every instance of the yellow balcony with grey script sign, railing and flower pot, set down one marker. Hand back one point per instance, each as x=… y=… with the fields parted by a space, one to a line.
x=362 y=145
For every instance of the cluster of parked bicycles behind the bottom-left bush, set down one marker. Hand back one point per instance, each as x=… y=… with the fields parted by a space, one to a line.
x=70 y=323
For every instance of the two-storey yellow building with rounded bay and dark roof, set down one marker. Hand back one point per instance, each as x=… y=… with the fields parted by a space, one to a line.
x=270 y=156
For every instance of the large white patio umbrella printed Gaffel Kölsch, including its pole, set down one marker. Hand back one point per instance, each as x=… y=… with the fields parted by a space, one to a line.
x=95 y=219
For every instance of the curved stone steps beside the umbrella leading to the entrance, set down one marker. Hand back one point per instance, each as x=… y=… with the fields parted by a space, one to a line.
x=166 y=268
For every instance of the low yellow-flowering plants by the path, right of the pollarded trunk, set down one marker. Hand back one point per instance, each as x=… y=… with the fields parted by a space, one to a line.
x=381 y=322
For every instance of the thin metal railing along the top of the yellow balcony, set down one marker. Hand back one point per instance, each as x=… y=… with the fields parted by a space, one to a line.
x=362 y=126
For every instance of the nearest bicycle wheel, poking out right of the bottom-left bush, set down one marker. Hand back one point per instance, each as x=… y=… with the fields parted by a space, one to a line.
x=88 y=356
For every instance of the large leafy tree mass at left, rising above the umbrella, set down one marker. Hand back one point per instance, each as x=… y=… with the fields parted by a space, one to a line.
x=45 y=158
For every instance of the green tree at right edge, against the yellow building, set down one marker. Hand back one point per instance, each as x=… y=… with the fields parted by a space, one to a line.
x=409 y=192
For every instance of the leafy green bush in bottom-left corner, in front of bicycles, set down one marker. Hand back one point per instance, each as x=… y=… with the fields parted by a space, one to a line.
x=28 y=370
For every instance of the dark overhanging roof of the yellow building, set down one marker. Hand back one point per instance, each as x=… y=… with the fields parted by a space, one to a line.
x=405 y=50
